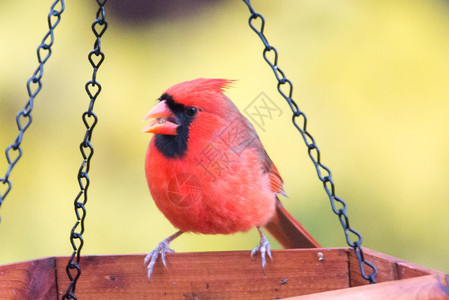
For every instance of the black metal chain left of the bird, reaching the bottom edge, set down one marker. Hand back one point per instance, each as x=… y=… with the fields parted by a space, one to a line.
x=93 y=89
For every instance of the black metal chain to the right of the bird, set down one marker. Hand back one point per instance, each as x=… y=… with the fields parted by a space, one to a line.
x=285 y=88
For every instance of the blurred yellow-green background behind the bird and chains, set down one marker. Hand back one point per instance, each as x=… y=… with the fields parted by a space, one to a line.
x=372 y=77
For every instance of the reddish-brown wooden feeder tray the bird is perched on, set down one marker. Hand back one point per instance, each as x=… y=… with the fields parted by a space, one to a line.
x=320 y=273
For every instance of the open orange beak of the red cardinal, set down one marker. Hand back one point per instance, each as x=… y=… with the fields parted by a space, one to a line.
x=163 y=120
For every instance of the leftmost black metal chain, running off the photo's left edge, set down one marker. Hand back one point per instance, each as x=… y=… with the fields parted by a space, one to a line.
x=34 y=85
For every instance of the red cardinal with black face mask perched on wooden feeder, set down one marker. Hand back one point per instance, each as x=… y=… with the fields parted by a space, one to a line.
x=208 y=172
